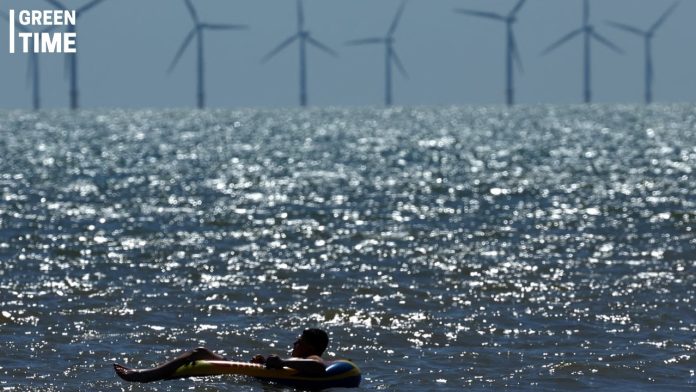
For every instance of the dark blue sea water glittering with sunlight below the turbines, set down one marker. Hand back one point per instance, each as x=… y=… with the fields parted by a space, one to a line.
x=533 y=248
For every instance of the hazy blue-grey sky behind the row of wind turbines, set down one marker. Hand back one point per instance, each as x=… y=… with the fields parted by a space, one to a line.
x=125 y=47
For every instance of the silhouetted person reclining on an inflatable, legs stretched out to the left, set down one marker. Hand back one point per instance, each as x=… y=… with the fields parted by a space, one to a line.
x=305 y=358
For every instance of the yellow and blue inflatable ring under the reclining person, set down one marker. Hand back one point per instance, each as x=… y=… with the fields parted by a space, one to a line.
x=339 y=374
